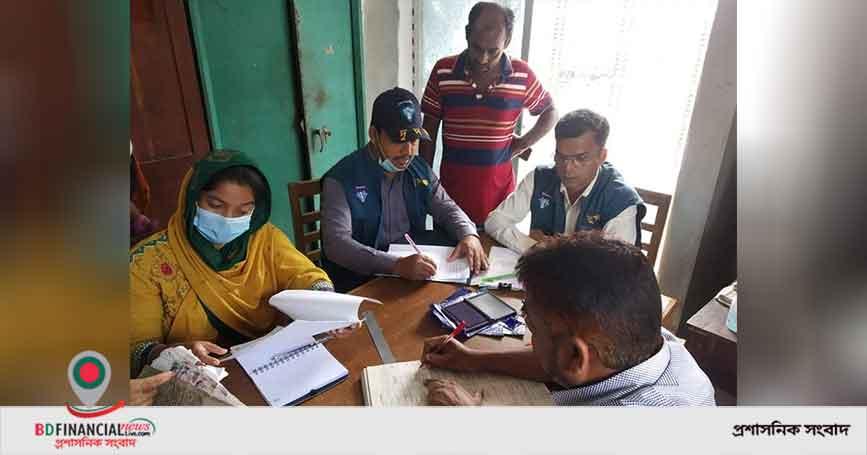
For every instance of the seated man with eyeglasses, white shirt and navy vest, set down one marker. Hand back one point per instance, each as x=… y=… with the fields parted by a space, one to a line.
x=581 y=191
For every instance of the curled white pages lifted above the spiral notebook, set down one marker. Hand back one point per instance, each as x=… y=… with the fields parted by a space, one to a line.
x=318 y=305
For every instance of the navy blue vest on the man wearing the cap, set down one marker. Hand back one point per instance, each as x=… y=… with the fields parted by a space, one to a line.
x=361 y=177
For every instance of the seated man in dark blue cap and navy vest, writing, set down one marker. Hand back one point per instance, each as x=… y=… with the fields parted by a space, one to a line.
x=377 y=194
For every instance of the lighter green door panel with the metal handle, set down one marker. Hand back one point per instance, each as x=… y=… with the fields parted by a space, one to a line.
x=328 y=46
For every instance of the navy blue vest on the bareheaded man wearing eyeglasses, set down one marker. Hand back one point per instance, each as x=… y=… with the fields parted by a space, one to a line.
x=610 y=196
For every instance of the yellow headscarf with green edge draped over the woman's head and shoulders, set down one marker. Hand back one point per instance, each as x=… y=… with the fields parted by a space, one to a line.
x=237 y=296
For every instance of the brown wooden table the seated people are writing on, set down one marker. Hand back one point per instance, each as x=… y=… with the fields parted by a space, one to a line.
x=405 y=320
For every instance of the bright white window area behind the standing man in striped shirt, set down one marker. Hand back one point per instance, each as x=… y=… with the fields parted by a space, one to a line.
x=637 y=62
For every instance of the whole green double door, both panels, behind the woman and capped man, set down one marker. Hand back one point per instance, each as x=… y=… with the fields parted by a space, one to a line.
x=270 y=68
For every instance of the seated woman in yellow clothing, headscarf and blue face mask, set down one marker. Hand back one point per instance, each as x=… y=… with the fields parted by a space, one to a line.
x=207 y=277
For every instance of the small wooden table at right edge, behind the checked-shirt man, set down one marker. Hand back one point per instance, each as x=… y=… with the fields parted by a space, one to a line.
x=714 y=346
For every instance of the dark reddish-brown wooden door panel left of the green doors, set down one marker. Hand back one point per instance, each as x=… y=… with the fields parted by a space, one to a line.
x=167 y=129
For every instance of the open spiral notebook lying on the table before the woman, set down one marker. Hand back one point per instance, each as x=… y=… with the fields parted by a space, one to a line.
x=289 y=378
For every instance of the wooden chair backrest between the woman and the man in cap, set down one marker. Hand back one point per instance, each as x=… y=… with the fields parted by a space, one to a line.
x=305 y=223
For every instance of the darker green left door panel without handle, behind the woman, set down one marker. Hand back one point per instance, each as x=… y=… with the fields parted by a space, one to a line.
x=247 y=66
